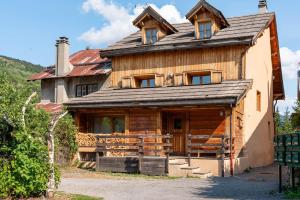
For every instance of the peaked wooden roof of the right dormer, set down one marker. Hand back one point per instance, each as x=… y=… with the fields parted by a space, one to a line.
x=210 y=8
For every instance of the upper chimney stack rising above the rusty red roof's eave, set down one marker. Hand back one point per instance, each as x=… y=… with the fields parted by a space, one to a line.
x=63 y=65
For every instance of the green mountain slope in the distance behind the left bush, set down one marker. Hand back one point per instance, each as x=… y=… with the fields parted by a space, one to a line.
x=18 y=70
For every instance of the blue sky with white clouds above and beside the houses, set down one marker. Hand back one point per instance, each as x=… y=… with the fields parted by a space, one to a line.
x=29 y=28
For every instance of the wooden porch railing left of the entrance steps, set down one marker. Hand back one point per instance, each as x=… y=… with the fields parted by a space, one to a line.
x=136 y=145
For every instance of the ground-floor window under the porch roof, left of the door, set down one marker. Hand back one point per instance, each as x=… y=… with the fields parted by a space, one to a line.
x=108 y=125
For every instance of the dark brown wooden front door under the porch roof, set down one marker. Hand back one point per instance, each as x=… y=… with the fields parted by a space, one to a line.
x=177 y=128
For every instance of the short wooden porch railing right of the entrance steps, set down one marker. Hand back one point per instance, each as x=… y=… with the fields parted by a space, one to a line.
x=223 y=147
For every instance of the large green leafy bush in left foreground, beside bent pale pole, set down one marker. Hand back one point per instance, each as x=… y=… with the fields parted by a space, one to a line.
x=24 y=167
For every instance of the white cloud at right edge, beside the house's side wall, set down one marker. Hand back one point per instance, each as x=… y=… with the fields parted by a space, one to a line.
x=290 y=62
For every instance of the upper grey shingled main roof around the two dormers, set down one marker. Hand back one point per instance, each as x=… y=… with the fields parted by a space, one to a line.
x=242 y=31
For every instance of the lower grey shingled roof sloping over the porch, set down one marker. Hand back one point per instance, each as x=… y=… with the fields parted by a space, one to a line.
x=228 y=92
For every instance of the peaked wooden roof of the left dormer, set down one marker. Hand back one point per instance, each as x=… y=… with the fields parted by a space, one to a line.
x=149 y=11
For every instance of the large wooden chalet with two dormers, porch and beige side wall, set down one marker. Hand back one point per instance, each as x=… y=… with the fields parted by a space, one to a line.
x=209 y=83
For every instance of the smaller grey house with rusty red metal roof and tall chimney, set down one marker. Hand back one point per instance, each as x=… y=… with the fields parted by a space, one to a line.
x=82 y=73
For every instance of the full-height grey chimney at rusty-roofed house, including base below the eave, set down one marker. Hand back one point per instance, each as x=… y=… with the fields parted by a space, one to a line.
x=62 y=68
